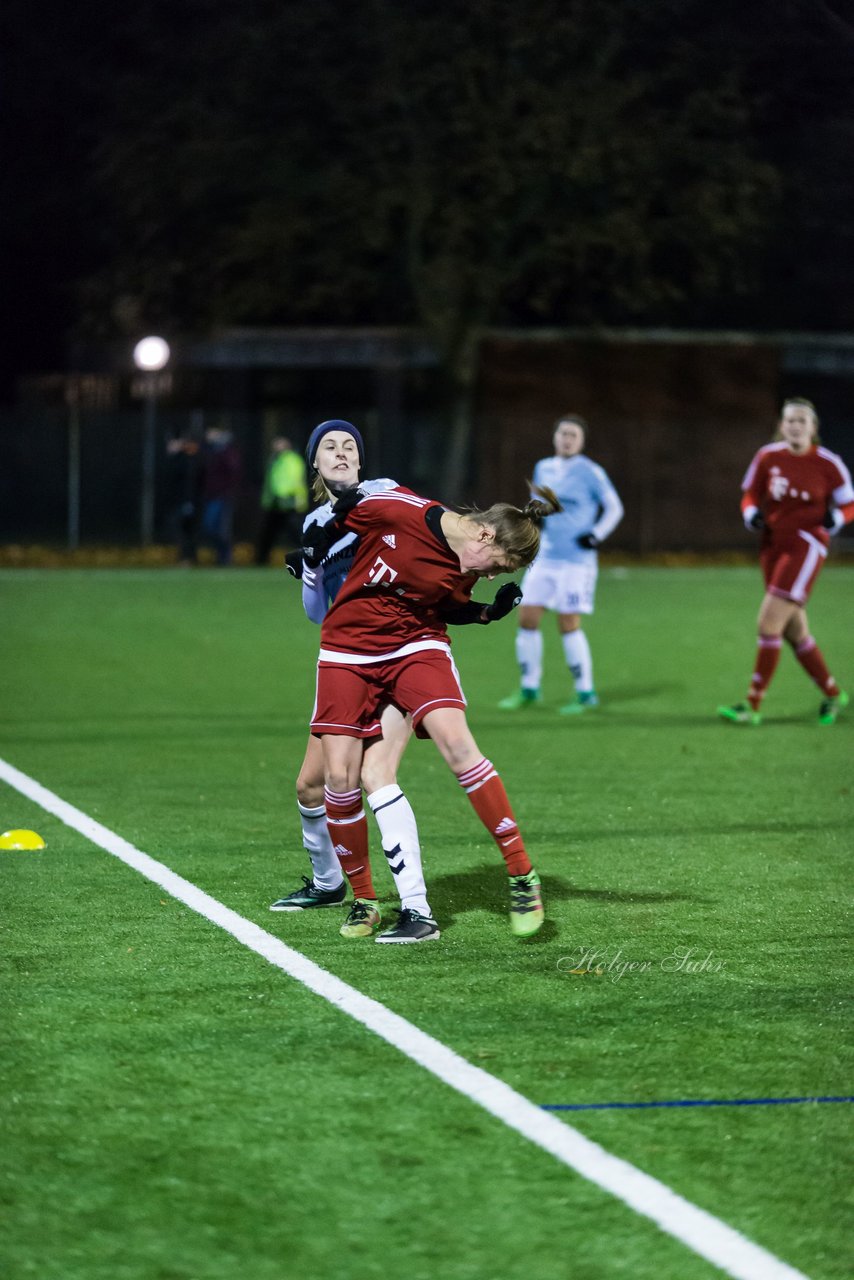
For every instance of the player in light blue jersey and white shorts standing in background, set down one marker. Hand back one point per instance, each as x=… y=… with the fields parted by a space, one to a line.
x=564 y=575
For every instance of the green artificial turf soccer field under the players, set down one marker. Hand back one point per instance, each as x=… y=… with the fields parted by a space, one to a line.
x=176 y=1108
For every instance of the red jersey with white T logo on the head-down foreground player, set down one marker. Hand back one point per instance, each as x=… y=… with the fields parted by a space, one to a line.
x=403 y=573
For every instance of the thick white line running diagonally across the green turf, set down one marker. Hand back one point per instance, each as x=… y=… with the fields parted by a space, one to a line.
x=709 y=1237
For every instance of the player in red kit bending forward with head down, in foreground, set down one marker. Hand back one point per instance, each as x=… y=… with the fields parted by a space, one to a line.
x=385 y=639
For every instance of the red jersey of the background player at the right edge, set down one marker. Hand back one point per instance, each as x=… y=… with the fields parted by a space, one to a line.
x=793 y=491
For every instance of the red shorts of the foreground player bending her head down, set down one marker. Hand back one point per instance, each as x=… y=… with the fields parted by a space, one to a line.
x=351 y=698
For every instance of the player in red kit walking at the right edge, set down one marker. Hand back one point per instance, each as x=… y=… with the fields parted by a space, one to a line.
x=797 y=493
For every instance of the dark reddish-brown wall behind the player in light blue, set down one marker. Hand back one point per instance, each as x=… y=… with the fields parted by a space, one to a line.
x=674 y=426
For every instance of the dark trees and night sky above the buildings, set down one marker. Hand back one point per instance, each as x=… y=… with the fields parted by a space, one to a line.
x=182 y=166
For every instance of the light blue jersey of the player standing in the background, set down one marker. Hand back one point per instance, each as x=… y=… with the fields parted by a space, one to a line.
x=591 y=506
